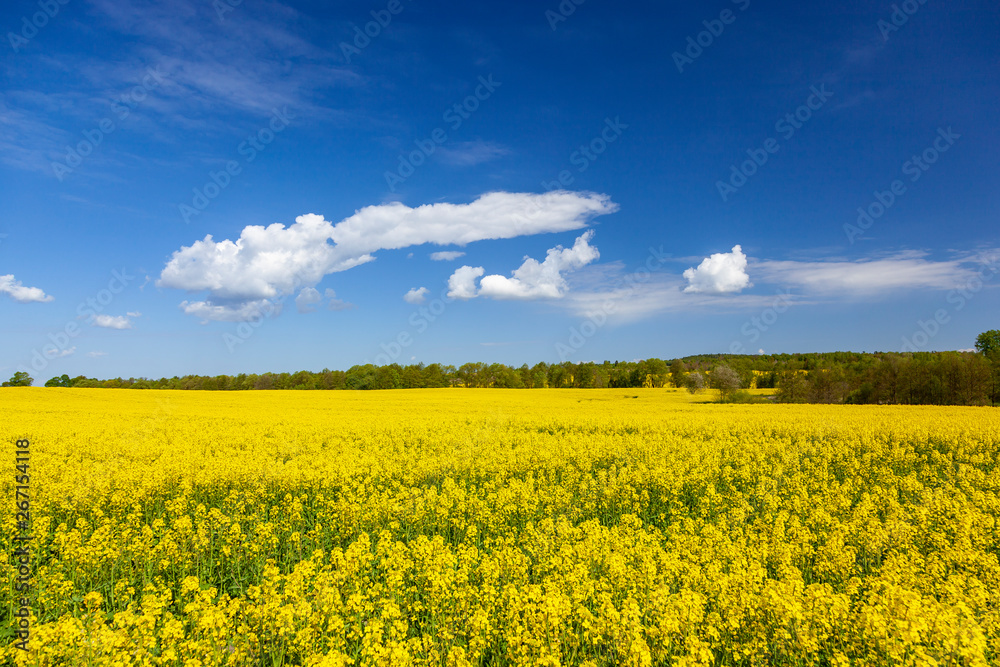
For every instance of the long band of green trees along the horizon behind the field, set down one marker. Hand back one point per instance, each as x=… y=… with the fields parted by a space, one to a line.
x=926 y=378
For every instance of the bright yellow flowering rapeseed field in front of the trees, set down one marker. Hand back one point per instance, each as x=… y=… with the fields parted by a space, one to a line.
x=491 y=527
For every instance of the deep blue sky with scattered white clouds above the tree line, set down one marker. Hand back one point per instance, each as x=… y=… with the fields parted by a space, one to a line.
x=199 y=187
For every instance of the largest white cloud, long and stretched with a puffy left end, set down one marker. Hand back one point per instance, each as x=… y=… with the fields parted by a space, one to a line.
x=267 y=263
